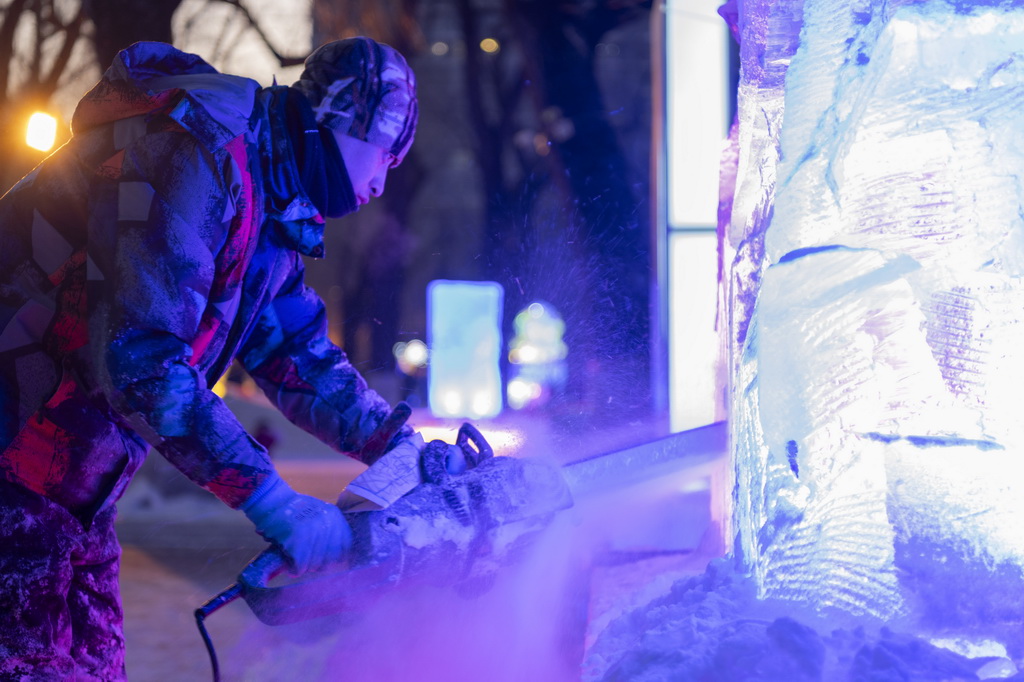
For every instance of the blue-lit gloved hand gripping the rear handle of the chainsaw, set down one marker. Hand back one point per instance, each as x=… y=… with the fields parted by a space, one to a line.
x=312 y=534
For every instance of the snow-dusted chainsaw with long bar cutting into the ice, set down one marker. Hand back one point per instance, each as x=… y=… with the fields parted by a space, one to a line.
x=451 y=530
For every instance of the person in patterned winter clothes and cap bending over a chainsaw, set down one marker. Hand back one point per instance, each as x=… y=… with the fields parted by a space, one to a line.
x=158 y=246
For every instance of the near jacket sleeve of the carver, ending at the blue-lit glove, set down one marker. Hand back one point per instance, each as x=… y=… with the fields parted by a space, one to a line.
x=159 y=268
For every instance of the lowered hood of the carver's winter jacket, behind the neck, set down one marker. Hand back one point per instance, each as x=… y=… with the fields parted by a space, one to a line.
x=149 y=77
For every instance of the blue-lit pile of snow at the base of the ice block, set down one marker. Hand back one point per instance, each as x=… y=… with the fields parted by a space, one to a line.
x=713 y=628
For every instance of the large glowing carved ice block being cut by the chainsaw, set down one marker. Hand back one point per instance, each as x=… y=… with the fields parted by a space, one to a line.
x=877 y=296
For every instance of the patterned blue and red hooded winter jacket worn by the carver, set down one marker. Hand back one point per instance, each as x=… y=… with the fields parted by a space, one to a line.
x=137 y=263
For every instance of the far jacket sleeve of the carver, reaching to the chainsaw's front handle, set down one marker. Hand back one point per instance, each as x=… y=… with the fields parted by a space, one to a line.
x=308 y=377
